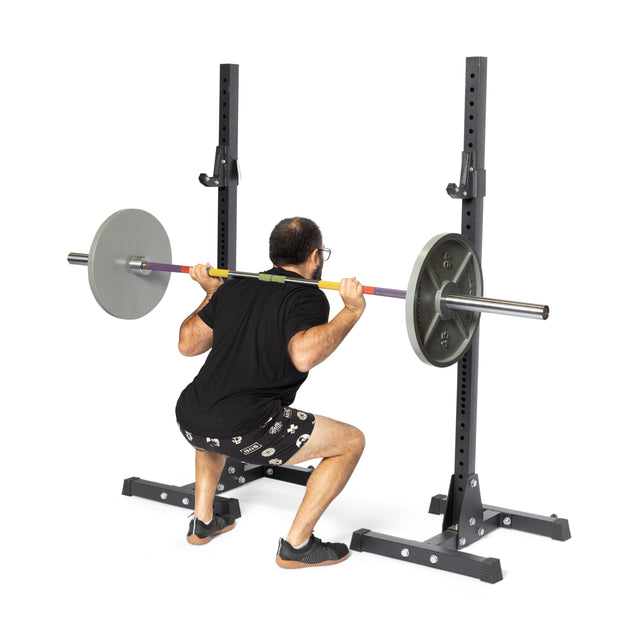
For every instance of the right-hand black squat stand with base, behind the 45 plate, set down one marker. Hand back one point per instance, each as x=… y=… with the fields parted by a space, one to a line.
x=466 y=519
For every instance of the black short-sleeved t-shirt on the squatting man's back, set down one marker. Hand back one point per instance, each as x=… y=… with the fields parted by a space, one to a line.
x=248 y=375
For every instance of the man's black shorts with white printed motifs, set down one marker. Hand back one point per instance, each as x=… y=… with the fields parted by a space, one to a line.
x=273 y=443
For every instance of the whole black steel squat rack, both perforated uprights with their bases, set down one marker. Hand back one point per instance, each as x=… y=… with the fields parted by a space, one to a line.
x=466 y=519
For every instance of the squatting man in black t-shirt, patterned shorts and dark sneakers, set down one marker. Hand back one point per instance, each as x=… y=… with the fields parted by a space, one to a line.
x=263 y=340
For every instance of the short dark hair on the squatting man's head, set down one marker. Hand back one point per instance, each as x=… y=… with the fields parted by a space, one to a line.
x=293 y=240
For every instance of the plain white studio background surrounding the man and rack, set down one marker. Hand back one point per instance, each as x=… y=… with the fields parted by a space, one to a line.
x=351 y=113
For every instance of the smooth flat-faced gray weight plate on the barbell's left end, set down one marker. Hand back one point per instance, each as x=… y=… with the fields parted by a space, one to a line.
x=128 y=234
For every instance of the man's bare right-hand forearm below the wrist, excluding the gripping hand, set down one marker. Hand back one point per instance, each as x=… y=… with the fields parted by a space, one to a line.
x=309 y=348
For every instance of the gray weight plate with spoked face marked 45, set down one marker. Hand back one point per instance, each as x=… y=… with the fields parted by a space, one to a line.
x=447 y=265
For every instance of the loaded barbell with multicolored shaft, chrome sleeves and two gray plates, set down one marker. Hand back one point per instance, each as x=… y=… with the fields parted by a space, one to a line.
x=443 y=298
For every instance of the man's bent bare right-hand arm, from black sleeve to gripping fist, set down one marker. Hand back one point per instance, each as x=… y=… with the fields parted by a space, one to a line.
x=309 y=348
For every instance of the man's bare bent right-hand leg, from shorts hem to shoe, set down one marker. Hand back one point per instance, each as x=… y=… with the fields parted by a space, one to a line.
x=340 y=446
